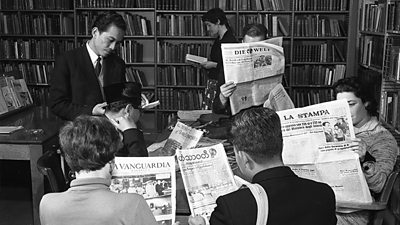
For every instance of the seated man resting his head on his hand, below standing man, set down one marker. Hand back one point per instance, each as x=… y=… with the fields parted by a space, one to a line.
x=123 y=110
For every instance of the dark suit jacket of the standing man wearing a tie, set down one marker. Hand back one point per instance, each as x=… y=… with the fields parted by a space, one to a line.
x=75 y=89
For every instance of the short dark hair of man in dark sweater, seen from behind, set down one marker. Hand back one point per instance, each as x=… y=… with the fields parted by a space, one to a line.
x=257 y=131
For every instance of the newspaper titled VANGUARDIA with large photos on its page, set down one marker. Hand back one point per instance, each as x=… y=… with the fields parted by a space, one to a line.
x=151 y=177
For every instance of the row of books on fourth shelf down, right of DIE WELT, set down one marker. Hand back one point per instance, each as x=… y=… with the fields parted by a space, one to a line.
x=317 y=74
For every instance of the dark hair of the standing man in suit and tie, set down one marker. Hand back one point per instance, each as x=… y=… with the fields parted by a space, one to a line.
x=105 y=20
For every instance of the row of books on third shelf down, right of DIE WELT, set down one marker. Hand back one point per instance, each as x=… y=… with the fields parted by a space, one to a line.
x=324 y=52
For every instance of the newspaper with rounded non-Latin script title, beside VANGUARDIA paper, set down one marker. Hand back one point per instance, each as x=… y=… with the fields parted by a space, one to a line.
x=206 y=176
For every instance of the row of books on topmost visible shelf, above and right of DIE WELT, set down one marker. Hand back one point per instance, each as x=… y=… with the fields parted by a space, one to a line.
x=320 y=5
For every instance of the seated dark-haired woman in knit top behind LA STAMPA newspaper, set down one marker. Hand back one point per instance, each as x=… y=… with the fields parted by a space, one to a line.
x=376 y=147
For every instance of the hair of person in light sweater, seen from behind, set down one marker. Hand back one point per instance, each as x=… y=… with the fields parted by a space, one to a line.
x=89 y=142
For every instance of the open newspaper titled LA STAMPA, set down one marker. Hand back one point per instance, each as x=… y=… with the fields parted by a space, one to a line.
x=317 y=145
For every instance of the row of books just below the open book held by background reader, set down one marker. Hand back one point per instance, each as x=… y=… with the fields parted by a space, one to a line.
x=181 y=75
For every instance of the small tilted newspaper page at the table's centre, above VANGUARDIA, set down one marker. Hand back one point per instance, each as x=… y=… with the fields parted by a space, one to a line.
x=182 y=136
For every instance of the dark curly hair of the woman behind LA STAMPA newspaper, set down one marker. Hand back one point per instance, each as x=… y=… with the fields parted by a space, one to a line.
x=361 y=89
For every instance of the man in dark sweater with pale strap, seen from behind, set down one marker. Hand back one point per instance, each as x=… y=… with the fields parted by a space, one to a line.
x=257 y=140
